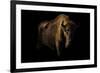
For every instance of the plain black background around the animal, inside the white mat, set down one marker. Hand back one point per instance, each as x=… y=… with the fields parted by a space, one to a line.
x=79 y=48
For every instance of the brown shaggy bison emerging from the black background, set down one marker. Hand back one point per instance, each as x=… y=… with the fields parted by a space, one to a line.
x=55 y=33
